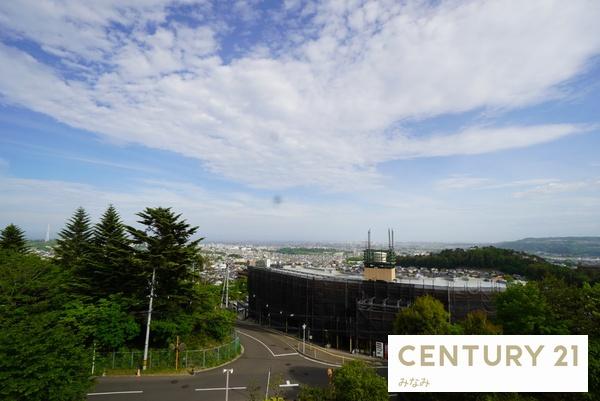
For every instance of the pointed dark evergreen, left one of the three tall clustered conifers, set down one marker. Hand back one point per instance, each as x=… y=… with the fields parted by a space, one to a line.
x=74 y=243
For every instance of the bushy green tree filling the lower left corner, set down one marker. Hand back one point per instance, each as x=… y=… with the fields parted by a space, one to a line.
x=41 y=356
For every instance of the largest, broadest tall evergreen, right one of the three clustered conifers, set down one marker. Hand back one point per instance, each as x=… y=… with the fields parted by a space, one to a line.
x=165 y=245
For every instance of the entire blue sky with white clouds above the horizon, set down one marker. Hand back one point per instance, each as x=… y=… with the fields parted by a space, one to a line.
x=448 y=121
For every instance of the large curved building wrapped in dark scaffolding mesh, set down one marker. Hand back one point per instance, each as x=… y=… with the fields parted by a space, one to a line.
x=353 y=311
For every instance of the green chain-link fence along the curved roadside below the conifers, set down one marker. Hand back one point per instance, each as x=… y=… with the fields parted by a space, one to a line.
x=165 y=359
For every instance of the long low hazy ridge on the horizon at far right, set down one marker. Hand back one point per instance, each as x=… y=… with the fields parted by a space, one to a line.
x=559 y=246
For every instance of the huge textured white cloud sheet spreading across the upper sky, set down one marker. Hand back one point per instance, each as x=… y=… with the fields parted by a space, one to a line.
x=318 y=106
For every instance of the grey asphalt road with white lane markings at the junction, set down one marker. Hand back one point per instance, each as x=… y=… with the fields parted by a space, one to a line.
x=264 y=351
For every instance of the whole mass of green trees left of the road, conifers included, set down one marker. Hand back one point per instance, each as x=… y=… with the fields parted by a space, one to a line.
x=92 y=297
